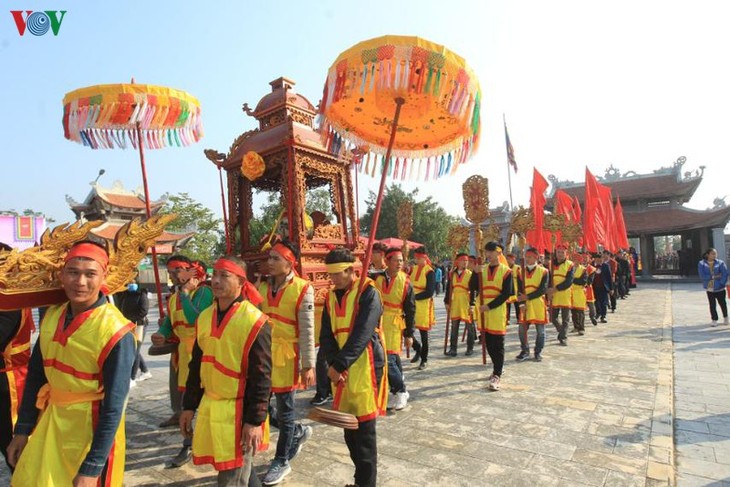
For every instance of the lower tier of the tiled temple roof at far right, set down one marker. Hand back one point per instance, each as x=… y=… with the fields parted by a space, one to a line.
x=674 y=219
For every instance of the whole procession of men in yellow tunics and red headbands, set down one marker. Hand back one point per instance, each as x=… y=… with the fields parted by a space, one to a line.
x=244 y=349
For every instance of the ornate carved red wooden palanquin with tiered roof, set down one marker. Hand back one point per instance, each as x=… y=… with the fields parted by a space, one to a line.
x=296 y=161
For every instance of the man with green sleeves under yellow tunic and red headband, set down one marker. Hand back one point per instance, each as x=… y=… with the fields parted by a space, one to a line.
x=183 y=308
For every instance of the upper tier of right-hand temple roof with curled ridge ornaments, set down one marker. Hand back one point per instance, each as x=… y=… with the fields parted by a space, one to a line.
x=665 y=183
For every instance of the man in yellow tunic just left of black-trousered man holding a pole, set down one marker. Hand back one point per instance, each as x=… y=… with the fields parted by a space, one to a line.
x=459 y=303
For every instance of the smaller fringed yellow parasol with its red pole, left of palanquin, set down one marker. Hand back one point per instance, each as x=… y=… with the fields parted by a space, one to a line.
x=140 y=116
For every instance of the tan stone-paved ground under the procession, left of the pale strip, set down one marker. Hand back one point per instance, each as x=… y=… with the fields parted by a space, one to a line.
x=598 y=412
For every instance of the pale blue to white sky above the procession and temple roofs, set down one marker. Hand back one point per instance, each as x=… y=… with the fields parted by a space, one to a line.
x=634 y=84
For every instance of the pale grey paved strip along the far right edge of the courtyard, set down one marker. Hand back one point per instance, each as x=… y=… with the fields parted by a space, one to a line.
x=702 y=391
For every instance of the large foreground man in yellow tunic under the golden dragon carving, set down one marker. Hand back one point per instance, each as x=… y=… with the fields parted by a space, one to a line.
x=78 y=381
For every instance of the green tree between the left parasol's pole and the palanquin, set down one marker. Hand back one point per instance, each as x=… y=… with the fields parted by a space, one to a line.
x=192 y=216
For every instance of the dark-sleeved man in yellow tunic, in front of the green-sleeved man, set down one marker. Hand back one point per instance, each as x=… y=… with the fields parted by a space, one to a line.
x=229 y=379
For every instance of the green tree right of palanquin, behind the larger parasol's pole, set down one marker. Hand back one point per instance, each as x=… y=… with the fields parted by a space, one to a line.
x=431 y=223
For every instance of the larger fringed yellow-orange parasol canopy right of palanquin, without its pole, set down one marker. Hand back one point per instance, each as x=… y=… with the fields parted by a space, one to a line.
x=439 y=118
